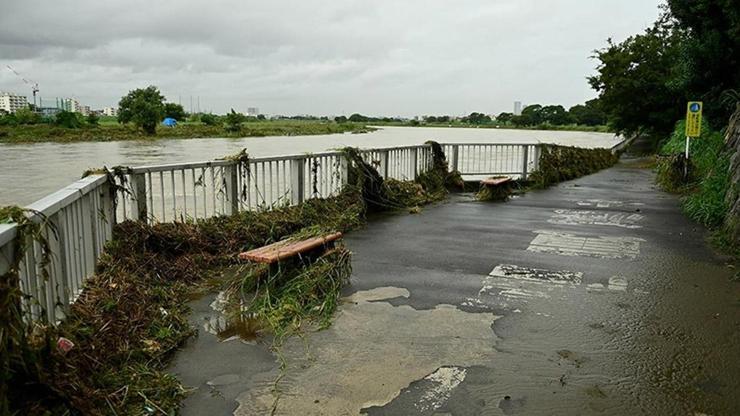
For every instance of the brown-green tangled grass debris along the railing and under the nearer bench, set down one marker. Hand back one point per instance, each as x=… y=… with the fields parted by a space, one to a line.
x=132 y=314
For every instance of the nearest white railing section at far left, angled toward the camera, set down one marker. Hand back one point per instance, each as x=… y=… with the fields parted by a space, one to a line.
x=76 y=222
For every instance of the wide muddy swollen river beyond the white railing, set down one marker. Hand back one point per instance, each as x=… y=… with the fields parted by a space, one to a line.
x=30 y=171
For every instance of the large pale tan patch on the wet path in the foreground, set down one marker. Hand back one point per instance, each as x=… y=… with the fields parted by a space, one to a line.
x=371 y=353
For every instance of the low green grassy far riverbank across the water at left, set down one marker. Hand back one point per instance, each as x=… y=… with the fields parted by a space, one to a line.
x=111 y=131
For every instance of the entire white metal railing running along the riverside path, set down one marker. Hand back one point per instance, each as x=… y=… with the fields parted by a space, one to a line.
x=77 y=221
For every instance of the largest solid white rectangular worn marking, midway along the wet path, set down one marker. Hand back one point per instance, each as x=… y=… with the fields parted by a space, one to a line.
x=553 y=242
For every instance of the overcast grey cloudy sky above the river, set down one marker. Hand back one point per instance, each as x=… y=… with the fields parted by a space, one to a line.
x=380 y=57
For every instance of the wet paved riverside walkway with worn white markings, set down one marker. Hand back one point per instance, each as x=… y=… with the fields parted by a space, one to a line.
x=593 y=297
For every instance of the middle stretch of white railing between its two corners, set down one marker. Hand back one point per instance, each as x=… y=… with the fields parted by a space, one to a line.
x=187 y=191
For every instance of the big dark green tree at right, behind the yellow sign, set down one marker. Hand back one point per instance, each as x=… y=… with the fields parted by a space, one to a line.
x=635 y=81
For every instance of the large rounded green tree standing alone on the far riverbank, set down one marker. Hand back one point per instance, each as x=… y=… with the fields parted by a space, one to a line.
x=144 y=107
